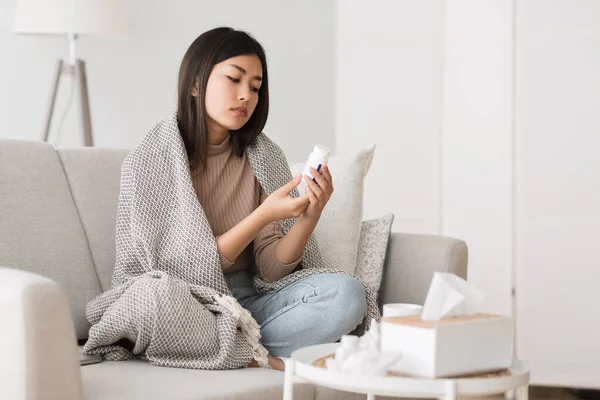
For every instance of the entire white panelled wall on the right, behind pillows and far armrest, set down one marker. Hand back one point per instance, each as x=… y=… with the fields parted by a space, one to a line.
x=485 y=113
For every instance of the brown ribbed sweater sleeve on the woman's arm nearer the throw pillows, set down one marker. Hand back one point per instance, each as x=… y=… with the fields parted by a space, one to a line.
x=265 y=244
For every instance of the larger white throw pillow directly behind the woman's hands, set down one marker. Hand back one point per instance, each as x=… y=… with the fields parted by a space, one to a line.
x=338 y=230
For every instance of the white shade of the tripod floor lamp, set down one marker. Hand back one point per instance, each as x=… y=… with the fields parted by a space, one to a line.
x=81 y=17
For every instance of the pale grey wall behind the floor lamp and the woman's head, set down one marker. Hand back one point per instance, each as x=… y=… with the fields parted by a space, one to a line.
x=132 y=81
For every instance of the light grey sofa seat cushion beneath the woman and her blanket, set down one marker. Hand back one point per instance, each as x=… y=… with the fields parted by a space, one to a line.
x=139 y=380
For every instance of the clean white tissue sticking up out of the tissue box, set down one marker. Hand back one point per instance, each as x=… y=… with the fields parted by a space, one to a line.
x=450 y=296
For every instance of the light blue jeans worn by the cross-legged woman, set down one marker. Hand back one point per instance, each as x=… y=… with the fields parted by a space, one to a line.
x=313 y=310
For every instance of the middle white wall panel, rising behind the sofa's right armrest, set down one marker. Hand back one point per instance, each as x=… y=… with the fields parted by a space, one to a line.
x=477 y=141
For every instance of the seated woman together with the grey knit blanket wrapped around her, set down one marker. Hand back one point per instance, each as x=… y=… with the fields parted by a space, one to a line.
x=204 y=208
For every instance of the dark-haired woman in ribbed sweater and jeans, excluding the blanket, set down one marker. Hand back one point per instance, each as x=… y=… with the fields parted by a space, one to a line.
x=223 y=102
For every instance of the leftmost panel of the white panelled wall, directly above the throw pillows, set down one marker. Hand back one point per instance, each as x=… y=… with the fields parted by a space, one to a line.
x=388 y=80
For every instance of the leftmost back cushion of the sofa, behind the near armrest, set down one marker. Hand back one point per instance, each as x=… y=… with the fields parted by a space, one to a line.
x=40 y=230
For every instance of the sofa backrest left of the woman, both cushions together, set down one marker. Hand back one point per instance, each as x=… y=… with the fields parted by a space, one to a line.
x=57 y=216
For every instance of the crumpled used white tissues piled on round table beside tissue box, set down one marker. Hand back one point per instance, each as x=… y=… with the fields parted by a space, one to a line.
x=363 y=356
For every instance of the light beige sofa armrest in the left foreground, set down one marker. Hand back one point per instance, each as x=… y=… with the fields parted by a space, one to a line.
x=37 y=340
